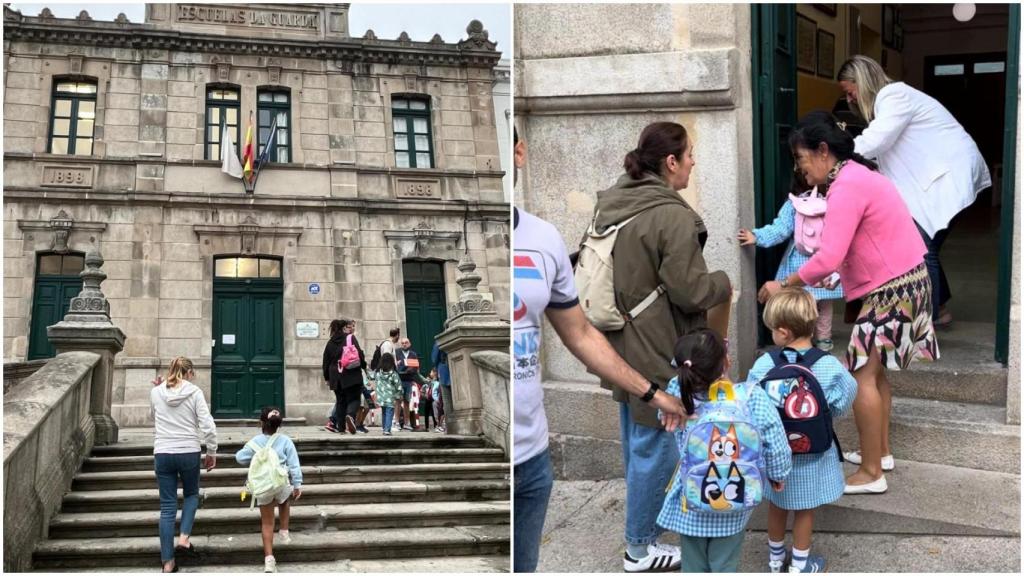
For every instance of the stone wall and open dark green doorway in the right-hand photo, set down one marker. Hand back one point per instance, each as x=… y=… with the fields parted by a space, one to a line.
x=738 y=76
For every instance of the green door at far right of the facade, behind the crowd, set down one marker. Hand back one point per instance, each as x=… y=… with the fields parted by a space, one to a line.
x=425 y=308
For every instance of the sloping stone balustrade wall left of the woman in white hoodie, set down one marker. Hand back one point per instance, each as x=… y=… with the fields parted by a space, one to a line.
x=49 y=431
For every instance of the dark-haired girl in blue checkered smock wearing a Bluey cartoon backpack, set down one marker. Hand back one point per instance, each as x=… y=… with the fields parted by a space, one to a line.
x=731 y=449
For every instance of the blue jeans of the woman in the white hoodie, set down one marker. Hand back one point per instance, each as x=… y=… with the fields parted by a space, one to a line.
x=169 y=468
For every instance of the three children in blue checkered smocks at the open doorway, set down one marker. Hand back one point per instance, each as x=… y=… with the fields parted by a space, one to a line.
x=772 y=436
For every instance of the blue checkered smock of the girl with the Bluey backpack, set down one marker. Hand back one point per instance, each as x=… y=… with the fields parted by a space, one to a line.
x=778 y=464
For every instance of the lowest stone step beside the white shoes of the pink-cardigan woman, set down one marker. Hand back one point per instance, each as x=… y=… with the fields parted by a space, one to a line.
x=972 y=436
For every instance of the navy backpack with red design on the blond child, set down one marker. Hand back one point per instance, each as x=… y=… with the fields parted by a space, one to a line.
x=795 y=390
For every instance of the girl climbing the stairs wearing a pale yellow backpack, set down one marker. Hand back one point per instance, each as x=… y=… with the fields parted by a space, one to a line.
x=268 y=456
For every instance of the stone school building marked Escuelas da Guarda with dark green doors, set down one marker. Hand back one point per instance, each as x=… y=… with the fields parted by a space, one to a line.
x=383 y=173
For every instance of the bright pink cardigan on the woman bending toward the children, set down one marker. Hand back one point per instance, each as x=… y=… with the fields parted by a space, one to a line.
x=870 y=237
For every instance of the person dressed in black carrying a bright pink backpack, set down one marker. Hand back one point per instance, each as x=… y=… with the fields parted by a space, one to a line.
x=344 y=364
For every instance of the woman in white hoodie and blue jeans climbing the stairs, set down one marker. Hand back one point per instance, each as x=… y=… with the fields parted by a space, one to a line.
x=182 y=418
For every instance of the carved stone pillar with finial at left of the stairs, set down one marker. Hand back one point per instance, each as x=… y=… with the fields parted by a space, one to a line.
x=88 y=327
